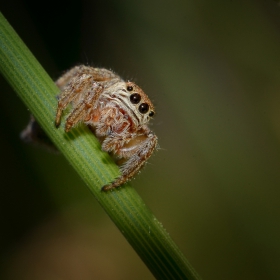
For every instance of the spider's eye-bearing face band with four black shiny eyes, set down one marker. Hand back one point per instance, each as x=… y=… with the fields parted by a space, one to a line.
x=140 y=103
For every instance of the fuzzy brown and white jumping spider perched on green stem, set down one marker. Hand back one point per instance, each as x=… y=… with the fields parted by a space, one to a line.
x=116 y=111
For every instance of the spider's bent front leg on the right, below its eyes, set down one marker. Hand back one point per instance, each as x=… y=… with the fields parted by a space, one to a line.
x=137 y=152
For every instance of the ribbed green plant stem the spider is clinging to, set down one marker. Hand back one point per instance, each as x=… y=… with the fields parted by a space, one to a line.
x=124 y=206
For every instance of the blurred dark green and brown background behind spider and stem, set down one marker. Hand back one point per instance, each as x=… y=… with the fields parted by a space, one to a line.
x=212 y=69
